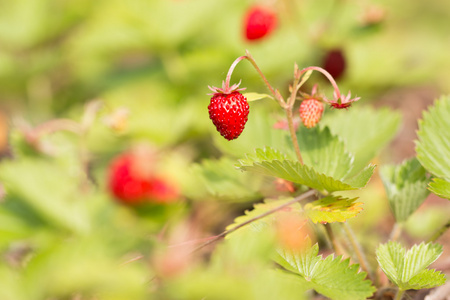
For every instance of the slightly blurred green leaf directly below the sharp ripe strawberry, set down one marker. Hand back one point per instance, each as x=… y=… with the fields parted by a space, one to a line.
x=223 y=181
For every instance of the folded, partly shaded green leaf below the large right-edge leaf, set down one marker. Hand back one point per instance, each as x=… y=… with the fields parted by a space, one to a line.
x=406 y=187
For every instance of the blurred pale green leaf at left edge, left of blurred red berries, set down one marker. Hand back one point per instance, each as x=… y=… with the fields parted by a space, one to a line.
x=45 y=192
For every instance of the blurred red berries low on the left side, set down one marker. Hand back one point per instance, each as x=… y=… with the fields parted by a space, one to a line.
x=132 y=187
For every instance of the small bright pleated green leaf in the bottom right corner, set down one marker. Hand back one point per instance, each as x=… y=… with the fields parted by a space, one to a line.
x=407 y=269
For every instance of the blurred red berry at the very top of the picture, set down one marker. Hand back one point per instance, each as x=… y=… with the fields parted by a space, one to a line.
x=259 y=22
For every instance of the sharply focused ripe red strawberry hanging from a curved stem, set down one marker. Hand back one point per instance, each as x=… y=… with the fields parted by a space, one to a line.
x=229 y=113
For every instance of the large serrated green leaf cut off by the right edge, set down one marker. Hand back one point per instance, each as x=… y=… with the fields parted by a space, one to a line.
x=433 y=146
